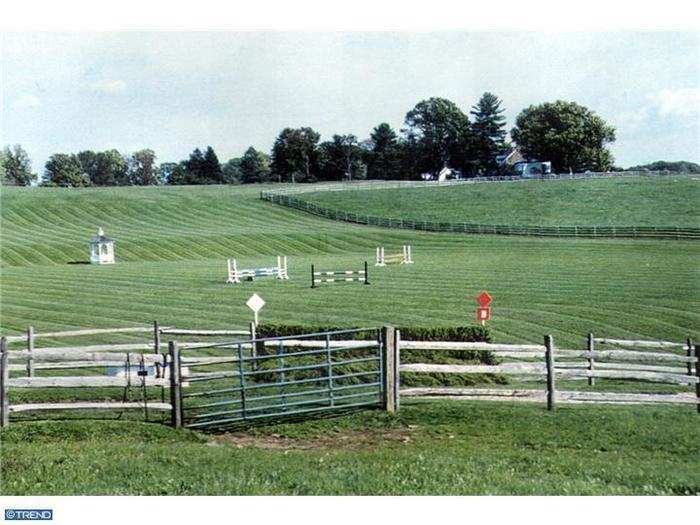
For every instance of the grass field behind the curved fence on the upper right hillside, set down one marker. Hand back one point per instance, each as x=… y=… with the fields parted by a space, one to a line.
x=629 y=201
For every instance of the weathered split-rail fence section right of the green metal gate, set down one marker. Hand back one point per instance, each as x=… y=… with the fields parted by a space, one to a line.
x=637 y=367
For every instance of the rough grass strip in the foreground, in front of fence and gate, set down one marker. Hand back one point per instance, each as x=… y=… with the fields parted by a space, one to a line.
x=429 y=448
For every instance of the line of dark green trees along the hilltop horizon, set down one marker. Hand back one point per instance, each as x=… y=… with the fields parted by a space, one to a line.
x=436 y=134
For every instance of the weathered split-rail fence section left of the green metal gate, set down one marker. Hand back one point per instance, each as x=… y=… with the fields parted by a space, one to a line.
x=125 y=365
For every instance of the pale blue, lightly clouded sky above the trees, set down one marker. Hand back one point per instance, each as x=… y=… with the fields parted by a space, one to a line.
x=175 y=91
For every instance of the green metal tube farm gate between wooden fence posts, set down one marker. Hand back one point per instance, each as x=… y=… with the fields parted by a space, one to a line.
x=261 y=380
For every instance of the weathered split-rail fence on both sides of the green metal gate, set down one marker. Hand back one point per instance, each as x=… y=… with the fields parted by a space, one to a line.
x=667 y=362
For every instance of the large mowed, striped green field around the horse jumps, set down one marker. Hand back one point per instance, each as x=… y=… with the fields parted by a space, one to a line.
x=172 y=244
